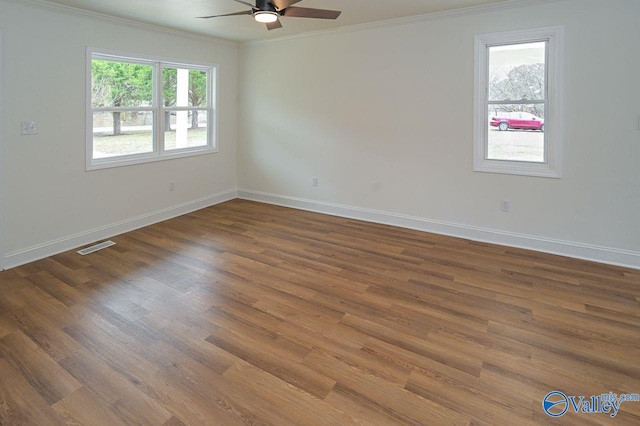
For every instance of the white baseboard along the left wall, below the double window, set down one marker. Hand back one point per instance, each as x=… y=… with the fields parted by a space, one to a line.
x=60 y=245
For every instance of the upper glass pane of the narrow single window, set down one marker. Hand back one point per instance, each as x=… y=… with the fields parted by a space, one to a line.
x=517 y=72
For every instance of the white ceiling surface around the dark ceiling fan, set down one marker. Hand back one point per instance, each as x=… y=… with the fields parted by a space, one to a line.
x=181 y=15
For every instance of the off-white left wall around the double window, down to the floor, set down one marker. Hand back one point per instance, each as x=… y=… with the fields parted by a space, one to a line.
x=50 y=203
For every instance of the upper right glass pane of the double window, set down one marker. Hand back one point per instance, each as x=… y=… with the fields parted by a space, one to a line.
x=182 y=87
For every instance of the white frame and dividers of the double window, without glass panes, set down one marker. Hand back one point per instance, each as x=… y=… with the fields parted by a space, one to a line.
x=158 y=153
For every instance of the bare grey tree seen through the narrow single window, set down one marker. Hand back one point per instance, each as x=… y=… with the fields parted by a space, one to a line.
x=521 y=83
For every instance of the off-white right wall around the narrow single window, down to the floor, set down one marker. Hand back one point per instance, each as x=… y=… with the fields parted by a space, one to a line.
x=382 y=115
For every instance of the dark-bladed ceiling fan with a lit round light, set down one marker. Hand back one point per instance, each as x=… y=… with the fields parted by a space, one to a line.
x=269 y=12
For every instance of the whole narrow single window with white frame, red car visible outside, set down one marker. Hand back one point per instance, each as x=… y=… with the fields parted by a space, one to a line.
x=518 y=103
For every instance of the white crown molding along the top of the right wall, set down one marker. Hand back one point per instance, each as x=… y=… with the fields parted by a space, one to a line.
x=434 y=16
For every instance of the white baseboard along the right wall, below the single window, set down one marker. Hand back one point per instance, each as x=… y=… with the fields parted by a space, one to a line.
x=612 y=256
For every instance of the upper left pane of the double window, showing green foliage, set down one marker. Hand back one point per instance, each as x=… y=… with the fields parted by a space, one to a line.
x=121 y=84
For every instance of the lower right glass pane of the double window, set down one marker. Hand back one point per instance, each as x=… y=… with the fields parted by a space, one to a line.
x=187 y=129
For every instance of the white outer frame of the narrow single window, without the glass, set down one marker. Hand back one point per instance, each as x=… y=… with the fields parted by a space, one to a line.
x=552 y=165
